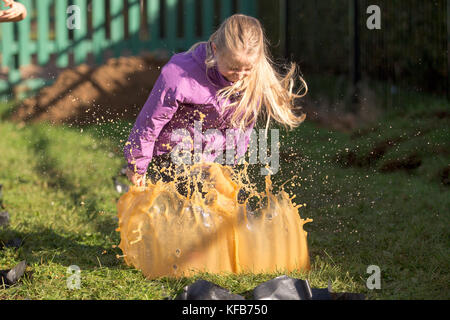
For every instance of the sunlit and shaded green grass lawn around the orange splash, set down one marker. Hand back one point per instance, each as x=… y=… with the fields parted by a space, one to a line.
x=377 y=197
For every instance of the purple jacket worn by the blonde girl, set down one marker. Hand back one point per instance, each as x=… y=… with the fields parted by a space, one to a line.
x=182 y=95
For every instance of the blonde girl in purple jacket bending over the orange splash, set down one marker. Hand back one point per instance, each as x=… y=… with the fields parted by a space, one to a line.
x=226 y=83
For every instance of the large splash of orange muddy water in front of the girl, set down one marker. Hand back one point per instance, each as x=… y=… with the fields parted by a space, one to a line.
x=166 y=234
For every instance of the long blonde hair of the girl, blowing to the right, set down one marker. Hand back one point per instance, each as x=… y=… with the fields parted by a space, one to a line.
x=264 y=86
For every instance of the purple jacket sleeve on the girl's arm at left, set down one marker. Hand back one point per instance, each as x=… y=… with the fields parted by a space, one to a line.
x=159 y=109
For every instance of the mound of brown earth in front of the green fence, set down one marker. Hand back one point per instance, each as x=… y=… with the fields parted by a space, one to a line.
x=83 y=95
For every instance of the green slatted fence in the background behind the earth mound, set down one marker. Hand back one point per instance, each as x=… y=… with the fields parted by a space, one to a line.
x=115 y=26
